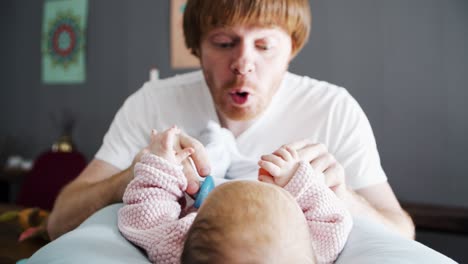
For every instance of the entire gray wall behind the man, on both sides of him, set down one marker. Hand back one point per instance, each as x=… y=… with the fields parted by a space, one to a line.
x=405 y=61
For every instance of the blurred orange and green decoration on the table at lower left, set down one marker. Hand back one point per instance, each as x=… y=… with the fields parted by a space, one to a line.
x=32 y=221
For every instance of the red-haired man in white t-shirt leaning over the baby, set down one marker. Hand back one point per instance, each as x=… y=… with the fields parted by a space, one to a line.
x=244 y=48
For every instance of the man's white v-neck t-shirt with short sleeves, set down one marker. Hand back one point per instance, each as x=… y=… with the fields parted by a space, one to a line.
x=302 y=108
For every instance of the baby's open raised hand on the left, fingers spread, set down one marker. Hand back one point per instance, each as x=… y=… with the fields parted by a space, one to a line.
x=167 y=146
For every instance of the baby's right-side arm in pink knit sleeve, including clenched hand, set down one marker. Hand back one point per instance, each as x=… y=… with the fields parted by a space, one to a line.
x=328 y=219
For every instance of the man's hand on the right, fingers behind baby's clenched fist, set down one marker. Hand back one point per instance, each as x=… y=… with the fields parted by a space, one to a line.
x=323 y=162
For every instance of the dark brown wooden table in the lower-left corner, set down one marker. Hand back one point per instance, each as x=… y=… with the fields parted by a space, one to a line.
x=10 y=249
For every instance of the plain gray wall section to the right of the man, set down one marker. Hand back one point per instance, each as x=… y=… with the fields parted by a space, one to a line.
x=406 y=62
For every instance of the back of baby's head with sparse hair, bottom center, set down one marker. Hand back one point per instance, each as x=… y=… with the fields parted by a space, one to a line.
x=248 y=222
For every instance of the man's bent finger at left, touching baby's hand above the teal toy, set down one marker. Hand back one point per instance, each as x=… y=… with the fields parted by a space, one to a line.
x=199 y=157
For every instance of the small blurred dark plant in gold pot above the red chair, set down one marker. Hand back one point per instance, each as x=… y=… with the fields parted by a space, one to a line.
x=66 y=124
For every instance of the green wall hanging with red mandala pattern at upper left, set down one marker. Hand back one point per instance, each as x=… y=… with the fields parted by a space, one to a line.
x=64 y=41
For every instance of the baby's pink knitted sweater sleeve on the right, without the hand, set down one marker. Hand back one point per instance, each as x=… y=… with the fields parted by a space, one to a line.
x=328 y=219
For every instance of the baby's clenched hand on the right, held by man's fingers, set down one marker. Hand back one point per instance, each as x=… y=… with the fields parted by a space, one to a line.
x=281 y=166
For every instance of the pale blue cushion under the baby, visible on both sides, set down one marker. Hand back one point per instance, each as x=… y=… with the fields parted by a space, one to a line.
x=98 y=240
